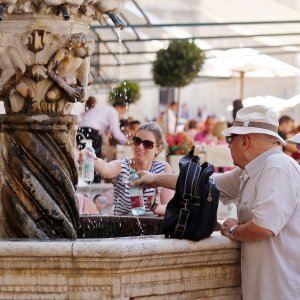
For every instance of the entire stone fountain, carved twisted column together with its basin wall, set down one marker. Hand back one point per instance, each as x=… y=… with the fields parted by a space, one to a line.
x=45 y=53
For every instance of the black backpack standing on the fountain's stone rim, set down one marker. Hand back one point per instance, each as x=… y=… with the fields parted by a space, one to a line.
x=192 y=212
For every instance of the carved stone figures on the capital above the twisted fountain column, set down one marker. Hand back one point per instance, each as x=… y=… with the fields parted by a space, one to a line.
x=44 y=73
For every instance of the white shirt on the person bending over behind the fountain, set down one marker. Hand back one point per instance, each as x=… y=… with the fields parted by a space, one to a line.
x=102 y=118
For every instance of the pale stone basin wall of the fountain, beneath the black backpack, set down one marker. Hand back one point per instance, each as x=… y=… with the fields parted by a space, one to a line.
x=148 y=267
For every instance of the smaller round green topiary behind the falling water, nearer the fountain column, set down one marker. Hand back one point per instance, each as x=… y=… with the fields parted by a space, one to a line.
x=126 y=91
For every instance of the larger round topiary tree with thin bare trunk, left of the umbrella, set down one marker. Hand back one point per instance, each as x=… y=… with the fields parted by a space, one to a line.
x=177 y=65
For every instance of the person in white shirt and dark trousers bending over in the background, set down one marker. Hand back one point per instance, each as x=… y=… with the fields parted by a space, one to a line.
x=97 y=120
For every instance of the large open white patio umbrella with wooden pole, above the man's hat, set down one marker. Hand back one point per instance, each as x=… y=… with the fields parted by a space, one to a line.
x=246 y=62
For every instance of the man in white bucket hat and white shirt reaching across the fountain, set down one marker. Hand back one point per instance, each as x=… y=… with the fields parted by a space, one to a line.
x=265 y=187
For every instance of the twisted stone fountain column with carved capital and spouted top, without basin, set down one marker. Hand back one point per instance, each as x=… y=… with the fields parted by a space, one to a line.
x=44 y=69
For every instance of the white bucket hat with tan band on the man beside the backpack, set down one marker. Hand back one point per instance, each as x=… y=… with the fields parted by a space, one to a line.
x=255 y=119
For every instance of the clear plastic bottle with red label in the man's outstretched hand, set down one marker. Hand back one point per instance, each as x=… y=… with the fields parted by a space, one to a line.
x=136 y=195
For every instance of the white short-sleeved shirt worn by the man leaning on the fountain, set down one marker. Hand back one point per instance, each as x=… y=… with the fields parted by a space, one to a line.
x=268 y=193
